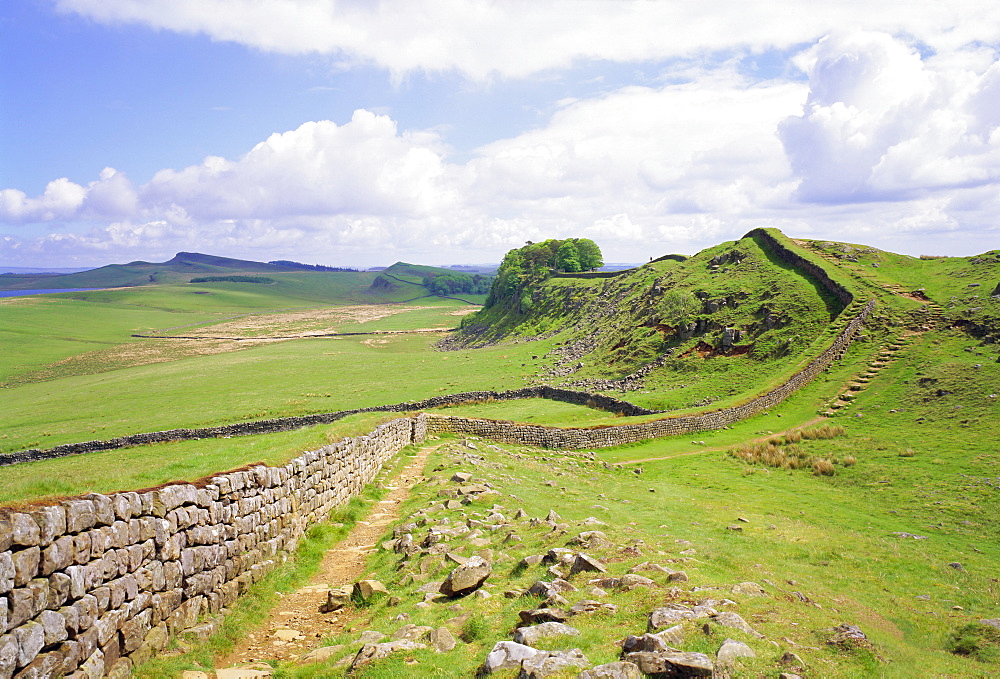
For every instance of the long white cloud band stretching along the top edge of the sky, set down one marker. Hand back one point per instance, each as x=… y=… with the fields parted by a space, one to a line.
x=515 y=38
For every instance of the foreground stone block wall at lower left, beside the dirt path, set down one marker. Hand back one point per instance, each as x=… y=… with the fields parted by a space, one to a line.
x=93 y=585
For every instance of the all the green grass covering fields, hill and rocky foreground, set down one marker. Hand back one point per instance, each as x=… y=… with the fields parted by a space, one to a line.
x=920 y=434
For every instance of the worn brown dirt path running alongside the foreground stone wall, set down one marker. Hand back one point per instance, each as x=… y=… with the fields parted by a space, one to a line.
x=296 y=626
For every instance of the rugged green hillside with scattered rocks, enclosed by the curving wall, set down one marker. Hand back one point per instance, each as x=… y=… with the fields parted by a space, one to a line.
x=629 y=339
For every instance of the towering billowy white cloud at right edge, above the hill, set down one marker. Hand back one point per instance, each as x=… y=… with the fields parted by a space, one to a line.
x=881 y=123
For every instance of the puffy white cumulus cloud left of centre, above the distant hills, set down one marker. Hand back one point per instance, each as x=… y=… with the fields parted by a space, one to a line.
x=362 y=167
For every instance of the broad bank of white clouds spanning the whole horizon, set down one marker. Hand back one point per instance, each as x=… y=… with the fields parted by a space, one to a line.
x=881 y=145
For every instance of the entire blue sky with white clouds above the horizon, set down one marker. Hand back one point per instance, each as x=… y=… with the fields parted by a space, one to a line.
x=360 y=133
